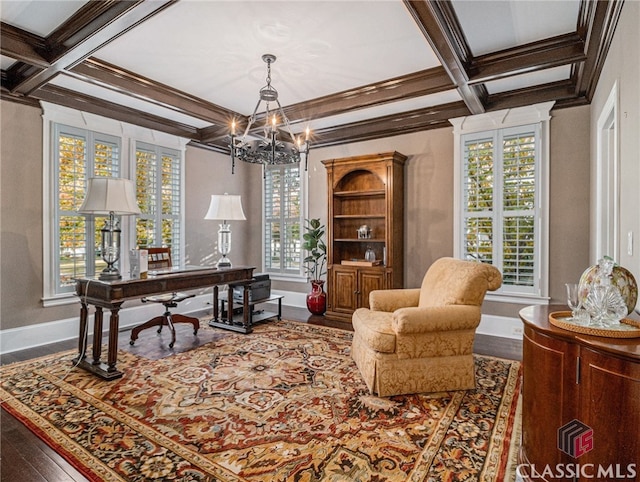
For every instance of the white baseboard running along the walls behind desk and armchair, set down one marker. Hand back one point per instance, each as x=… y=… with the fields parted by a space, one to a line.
x=15 y=339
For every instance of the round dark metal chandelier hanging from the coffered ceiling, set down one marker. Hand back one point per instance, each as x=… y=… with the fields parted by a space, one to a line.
x=269 y=149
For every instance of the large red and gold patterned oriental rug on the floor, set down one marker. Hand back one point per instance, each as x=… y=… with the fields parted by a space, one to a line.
x=284 y=403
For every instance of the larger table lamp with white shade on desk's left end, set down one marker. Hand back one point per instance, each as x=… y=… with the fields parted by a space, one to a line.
x=110 y=196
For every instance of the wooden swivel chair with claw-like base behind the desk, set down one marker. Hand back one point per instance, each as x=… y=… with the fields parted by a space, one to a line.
x=160 y=258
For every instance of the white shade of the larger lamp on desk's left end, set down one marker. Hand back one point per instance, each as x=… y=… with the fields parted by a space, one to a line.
x=110 y=194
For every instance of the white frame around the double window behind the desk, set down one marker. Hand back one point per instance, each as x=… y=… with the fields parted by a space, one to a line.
x=55 y=114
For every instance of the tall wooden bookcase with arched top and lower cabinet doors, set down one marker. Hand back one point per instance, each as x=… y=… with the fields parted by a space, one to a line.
x=363 y=190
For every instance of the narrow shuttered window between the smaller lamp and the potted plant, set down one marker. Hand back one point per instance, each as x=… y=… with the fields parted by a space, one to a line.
x=283 y=220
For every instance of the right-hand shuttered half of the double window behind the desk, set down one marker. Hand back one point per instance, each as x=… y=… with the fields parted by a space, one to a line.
x=158 y=180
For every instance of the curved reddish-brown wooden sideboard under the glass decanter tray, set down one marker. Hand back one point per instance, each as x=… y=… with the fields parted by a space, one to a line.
x=569 y=376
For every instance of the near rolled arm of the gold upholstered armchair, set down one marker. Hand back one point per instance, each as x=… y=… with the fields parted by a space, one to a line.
x=436 y=318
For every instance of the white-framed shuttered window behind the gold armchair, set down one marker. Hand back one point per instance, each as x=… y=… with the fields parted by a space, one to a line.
x=501 y=198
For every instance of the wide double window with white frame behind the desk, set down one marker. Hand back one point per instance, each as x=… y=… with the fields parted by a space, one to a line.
x=81 y=146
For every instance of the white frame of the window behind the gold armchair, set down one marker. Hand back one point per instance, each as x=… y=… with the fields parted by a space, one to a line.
x=488 y=124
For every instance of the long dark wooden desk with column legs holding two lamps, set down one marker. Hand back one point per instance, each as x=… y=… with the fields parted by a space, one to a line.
x=112 y=294
